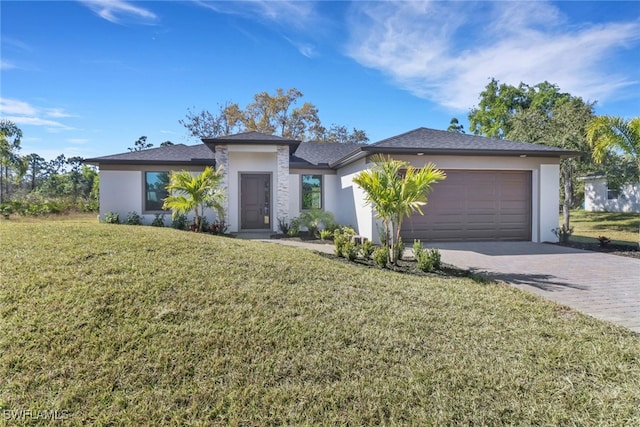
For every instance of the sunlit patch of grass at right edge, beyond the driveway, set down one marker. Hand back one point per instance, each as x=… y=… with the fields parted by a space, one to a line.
x=621 y=228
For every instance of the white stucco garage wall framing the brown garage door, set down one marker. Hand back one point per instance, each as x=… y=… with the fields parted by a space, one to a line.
x=544 y=189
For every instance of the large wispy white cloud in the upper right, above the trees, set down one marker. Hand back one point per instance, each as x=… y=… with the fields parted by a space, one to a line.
x=447 y=51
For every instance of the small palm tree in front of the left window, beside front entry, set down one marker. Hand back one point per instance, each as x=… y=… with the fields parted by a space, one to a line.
x=188 y=192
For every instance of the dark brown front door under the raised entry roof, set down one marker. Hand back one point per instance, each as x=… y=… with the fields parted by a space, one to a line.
x=255 y=201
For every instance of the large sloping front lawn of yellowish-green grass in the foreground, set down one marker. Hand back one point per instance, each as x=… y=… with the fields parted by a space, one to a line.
x=128 y=325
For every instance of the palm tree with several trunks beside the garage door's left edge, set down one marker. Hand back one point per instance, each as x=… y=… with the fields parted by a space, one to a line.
x=396 y=190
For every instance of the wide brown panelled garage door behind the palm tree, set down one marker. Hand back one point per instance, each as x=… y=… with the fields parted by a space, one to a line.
x=475 y=205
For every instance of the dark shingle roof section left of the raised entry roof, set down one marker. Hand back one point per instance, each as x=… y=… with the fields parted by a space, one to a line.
x=179 y=154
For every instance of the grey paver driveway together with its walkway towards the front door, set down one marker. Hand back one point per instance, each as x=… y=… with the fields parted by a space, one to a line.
x=602 y=285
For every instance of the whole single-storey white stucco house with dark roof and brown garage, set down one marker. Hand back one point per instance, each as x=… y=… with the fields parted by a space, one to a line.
x=494 y=190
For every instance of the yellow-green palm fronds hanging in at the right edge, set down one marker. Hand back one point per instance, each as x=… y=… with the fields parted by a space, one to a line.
x=606 y=133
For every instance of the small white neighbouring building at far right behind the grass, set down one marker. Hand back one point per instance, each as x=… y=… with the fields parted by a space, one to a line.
x=598 y=197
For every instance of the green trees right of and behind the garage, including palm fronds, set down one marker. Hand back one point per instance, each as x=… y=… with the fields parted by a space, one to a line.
x=543 y=114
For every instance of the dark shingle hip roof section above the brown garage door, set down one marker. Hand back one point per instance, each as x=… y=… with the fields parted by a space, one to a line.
x=444 y=142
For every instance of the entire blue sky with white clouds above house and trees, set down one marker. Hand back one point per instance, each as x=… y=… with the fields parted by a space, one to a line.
x=87 y=78
